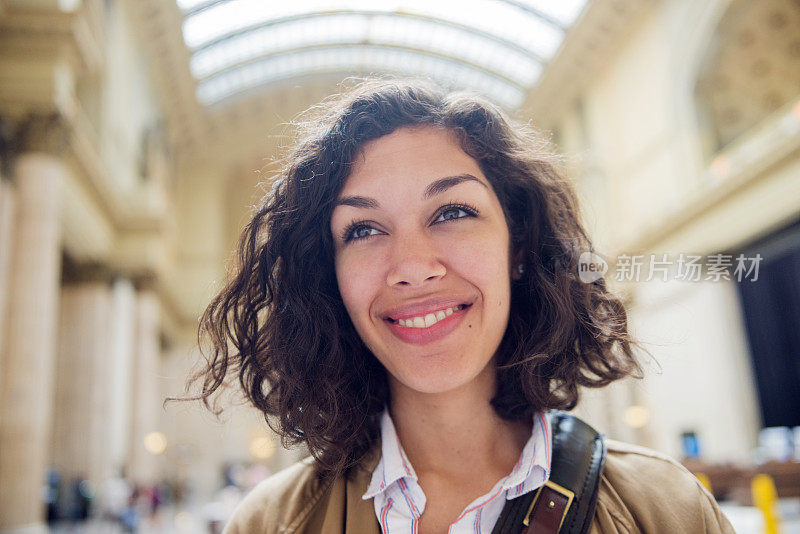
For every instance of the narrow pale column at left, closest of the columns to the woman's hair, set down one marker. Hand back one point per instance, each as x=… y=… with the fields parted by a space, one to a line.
x=146 y=398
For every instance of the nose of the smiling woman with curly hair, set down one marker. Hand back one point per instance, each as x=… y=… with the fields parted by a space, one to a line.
x=414 y=261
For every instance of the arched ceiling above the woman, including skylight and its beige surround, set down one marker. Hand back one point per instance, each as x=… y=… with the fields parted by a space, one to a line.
x=301 y=51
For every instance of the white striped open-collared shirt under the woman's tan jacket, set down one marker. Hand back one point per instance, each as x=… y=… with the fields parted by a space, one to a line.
x=399 y=500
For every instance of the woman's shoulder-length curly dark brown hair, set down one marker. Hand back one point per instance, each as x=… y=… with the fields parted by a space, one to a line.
x=280 y=325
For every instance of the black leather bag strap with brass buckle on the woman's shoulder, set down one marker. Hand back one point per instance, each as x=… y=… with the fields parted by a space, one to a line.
x=577 y=461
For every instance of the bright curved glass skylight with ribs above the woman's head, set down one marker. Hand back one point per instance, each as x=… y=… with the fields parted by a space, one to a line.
x=493 y=46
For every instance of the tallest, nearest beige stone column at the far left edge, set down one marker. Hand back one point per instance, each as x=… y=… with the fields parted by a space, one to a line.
x=26 y=391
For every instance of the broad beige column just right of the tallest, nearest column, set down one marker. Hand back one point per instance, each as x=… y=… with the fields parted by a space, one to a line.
x=81 y=424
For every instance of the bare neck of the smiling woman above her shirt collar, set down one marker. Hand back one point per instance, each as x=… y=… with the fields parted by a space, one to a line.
x=457 y=433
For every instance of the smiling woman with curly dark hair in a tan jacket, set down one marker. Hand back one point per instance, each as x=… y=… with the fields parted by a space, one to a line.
x=407 y=306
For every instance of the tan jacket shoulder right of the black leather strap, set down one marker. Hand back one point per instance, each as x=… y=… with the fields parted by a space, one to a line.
x=644 y=490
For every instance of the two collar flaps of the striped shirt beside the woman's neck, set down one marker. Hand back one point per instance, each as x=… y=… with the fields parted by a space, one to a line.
x=531 y=470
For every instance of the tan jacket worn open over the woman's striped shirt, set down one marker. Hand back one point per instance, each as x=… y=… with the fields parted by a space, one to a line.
x=640 y=491
